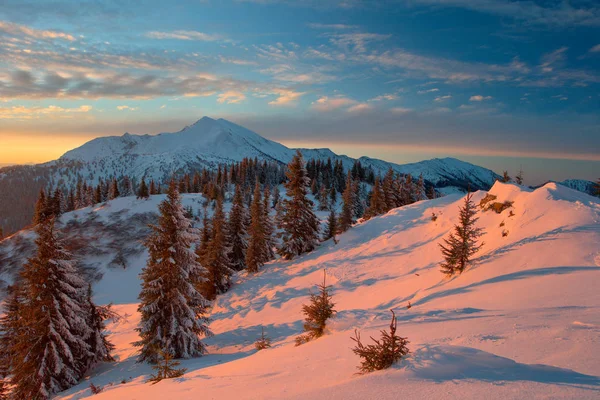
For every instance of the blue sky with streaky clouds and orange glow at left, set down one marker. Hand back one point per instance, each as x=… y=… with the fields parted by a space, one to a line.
x=503 y=84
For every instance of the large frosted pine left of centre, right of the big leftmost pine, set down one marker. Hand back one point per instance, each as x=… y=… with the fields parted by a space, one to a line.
x=173 y=312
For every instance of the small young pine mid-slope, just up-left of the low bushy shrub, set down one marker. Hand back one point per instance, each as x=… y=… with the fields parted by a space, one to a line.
x=317 y=313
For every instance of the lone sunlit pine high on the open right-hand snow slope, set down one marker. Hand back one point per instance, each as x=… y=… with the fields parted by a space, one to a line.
x=462 y=244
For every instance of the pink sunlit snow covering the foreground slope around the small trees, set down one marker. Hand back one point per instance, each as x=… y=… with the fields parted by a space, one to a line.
x=522 y=322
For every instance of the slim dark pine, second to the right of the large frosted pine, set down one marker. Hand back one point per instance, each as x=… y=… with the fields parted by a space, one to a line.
x=237 y=231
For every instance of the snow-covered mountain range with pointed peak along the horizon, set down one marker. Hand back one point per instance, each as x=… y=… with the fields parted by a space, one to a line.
x=204 y=144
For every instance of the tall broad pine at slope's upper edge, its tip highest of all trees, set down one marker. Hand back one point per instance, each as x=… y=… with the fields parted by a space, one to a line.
x=299 y=222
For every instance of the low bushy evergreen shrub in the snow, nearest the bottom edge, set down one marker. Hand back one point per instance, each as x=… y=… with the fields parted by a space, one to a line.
x=383 y=353
